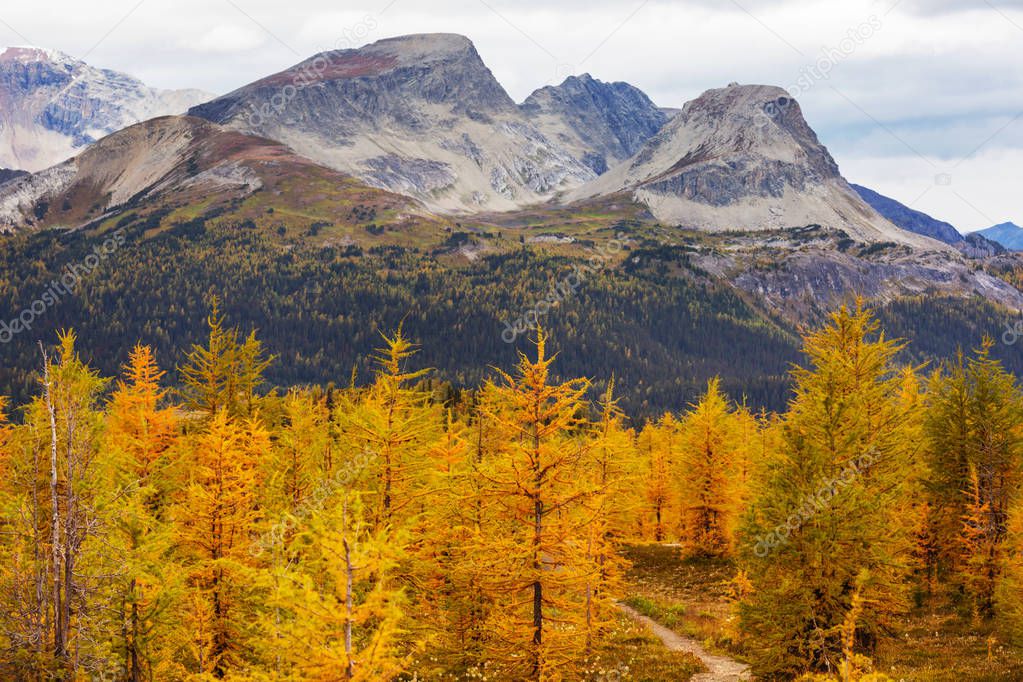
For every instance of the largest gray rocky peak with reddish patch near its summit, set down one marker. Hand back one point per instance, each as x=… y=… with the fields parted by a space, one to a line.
x=418 y=115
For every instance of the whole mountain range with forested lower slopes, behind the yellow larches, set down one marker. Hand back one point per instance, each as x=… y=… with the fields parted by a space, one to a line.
x=401 y=181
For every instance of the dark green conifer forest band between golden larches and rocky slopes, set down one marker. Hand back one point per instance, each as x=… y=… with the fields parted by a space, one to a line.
x=663 y=332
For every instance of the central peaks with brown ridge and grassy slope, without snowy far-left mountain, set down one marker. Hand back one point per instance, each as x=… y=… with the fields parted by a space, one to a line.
x=409 y=141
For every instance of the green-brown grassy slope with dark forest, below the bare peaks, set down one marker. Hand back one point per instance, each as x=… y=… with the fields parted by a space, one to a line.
x=321 y=265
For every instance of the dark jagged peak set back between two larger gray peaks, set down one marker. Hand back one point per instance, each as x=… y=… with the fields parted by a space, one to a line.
x=601 y=123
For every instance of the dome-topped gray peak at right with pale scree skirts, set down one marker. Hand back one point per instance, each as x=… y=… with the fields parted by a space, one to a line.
x=743 y=158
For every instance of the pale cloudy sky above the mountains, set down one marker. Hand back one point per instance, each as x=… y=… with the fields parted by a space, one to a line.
x=920 y=100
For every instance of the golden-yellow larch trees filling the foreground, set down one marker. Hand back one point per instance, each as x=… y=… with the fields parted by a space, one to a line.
x=392 y=532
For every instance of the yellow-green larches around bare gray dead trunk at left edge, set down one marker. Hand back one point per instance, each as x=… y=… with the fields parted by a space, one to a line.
x=53 y=567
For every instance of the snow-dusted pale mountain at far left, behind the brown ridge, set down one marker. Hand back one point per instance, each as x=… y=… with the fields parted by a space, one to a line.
x=53 y=106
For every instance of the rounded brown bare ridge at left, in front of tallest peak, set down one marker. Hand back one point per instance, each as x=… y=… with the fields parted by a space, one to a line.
x=174 y=164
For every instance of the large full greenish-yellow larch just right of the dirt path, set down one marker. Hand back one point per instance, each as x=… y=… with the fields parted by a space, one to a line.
x=831 y=492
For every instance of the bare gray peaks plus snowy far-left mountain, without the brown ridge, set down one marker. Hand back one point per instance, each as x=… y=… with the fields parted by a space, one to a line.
x=423 y=117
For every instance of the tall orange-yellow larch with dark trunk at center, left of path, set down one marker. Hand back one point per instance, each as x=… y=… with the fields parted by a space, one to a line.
x=539 y=480
